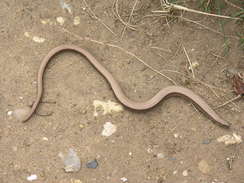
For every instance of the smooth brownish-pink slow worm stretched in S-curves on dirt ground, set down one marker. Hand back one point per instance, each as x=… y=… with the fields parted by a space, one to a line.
x=162 y=94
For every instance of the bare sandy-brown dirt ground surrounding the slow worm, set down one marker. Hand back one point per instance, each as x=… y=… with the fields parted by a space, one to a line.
x=165 y=144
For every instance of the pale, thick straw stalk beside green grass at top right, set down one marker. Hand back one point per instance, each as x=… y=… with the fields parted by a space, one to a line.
x=174 y=6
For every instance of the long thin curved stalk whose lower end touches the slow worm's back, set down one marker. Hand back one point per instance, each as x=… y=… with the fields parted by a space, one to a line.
x=122 y=49
